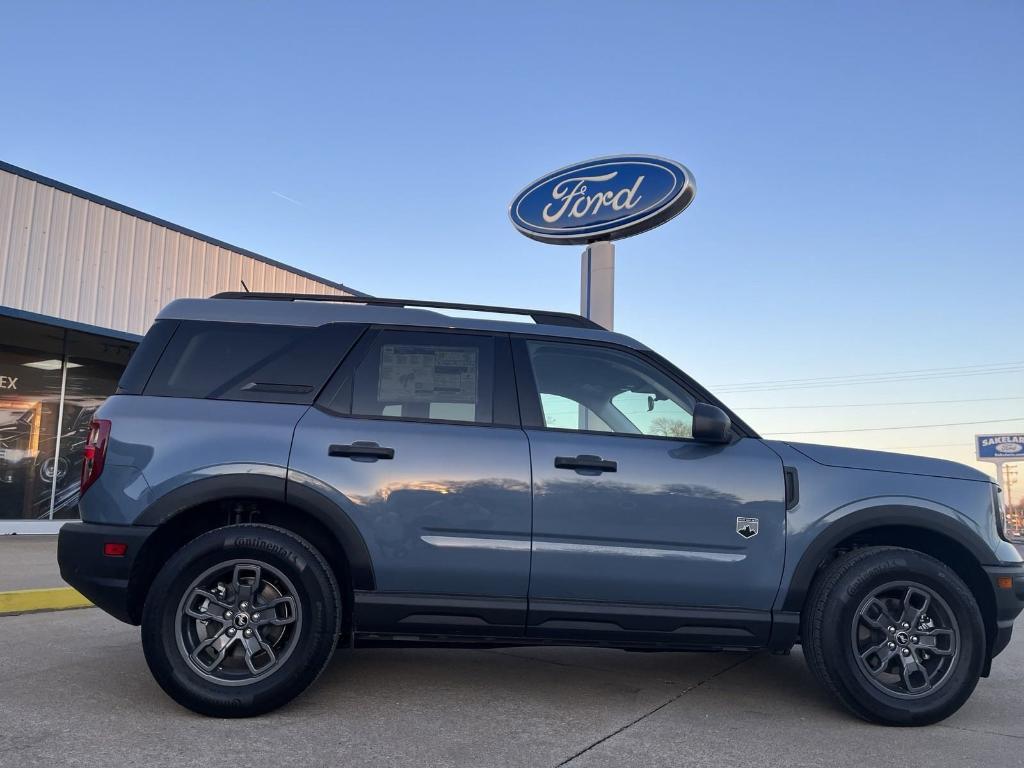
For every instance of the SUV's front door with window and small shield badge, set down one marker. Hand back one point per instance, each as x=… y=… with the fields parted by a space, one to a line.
x=639 y=531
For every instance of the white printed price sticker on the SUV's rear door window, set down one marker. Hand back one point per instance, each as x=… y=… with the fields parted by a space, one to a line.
x=414 y=373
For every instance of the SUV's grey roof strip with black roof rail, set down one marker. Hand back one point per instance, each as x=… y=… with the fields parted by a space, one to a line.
x=315 y=312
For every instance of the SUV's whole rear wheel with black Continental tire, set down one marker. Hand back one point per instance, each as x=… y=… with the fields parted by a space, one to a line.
x=241 y=621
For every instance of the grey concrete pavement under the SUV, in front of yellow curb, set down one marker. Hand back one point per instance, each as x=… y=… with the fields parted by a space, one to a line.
x=75 y=691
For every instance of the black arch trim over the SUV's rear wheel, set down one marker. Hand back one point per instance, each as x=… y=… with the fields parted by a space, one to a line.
x=273 y=487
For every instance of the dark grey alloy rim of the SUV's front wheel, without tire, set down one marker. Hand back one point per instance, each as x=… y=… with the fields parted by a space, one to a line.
x=907 y=639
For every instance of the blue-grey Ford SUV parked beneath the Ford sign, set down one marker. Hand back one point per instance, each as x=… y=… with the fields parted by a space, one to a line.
x=281 y=475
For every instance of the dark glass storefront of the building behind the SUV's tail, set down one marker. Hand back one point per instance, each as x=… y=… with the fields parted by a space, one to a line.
x=42 y=437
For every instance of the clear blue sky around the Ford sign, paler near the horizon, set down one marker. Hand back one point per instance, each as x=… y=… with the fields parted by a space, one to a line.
x=860 y=209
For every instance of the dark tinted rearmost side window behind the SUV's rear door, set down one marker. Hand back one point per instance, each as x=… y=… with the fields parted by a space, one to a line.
x=250 y=362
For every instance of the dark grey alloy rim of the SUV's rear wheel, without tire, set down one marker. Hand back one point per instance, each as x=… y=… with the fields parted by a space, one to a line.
x=238 y=622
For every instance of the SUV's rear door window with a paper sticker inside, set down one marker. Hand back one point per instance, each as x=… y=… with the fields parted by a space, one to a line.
x=426 y=376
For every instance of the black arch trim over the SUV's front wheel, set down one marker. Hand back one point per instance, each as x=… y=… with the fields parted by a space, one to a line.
x=888 y=516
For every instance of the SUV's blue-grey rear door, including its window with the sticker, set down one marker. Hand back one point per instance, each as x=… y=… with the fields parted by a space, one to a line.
x=417 y=440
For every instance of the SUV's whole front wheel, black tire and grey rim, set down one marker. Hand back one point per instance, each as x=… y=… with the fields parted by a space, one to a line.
x=859 y=649
